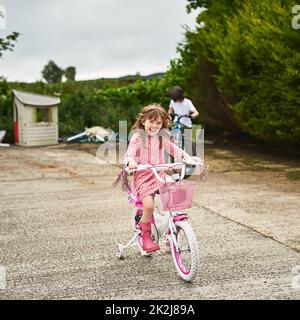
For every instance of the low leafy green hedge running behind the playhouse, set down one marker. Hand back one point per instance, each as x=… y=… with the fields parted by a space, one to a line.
x=86 y=105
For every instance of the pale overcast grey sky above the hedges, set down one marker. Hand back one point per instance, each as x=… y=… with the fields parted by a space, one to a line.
x=101 y=38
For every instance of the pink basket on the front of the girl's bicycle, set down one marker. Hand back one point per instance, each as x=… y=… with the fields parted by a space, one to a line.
x=177 y=195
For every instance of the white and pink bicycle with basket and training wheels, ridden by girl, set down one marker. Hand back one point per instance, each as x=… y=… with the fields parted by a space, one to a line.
x=173 y=227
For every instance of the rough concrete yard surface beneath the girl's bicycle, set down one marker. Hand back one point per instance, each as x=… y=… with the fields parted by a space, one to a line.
x=60 y=221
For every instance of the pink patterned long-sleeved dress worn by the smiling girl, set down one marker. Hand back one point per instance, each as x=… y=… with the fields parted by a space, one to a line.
x=145 y=182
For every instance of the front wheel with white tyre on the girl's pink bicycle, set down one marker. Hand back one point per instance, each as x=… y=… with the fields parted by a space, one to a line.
x=185 y=255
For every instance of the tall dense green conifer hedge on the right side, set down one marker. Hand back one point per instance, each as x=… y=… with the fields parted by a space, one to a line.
x=242 y=68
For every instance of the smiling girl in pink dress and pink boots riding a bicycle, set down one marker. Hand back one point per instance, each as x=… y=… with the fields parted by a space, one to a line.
x=147 y=146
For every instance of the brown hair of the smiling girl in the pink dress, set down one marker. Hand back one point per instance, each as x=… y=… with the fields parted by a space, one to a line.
x=153 y=112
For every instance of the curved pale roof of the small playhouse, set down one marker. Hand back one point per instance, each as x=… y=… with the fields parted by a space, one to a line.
x=33 y=99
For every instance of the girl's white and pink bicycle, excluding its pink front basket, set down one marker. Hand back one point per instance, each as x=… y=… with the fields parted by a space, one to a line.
x=173 y=225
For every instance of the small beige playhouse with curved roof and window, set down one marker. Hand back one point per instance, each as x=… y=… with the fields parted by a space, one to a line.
x=35 y=119
